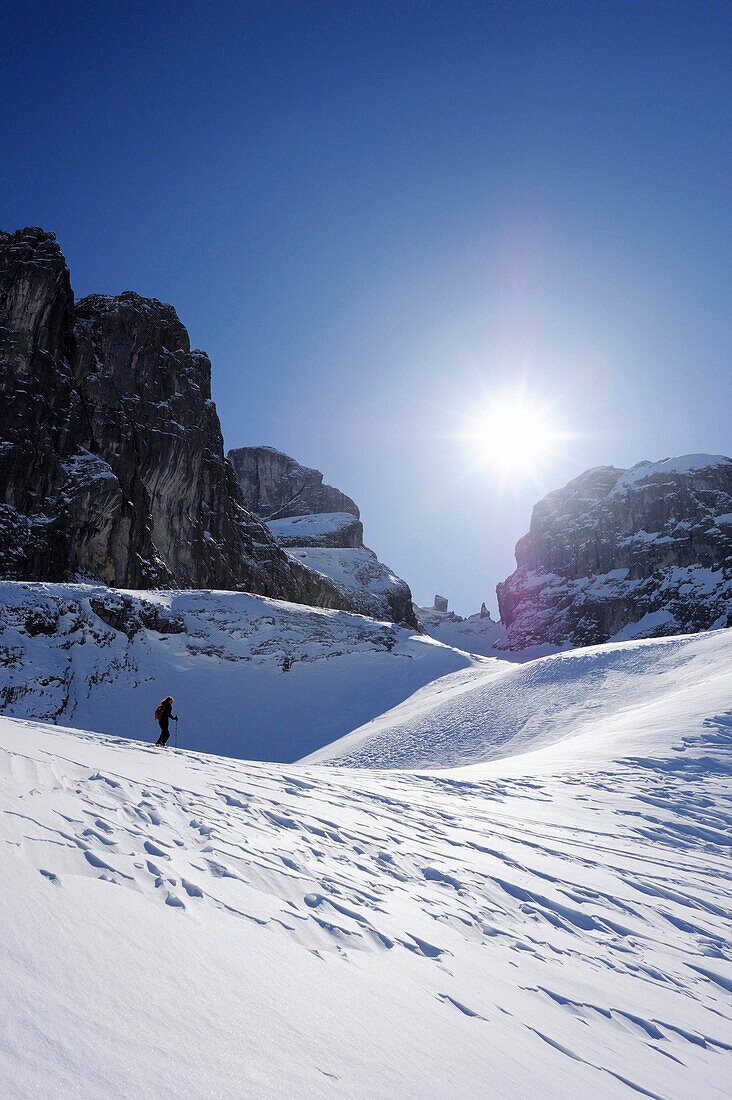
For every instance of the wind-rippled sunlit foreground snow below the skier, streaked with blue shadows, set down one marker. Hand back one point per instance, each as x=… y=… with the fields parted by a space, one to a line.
x=184 y=926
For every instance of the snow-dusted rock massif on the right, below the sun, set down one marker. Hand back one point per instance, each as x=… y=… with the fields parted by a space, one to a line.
x=620 y=554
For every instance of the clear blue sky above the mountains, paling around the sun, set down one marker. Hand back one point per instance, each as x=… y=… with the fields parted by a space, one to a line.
x=376 y=217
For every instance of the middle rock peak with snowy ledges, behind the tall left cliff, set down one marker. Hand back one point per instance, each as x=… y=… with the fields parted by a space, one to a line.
x=320 y=526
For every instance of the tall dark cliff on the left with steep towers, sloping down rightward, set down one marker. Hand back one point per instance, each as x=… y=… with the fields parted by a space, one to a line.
x=112 y=456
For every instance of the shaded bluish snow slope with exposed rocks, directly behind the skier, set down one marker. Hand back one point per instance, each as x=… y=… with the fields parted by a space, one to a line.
x=252 y=677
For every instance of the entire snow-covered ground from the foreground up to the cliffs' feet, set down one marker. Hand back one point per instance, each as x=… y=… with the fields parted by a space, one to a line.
x=533 y=901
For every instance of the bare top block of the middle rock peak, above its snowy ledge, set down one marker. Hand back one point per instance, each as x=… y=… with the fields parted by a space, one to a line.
x=276 y=487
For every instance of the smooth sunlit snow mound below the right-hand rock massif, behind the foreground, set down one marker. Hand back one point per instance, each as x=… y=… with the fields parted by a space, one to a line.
x=581 y=705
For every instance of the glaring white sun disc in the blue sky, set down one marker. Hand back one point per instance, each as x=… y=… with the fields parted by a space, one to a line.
x=514 y=436
